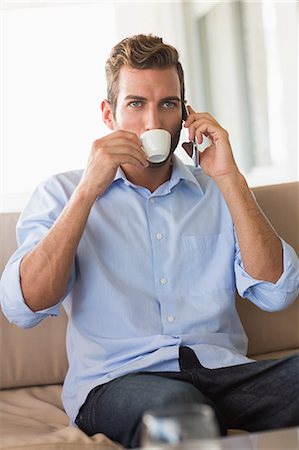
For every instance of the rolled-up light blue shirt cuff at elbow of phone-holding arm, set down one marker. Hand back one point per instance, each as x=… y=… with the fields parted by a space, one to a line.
x=267 y=295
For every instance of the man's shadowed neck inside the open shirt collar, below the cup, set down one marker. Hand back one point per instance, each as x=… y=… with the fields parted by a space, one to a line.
x=150 y=177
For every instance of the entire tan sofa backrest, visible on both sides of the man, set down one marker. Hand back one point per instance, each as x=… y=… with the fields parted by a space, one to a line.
x=37 y=356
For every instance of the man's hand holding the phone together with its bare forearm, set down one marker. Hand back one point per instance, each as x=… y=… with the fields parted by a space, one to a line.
x=260 y=246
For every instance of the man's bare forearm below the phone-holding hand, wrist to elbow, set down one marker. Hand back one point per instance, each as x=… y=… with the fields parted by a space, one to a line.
x=260 y=247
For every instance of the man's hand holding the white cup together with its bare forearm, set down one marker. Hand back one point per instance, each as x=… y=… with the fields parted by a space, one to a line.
x=46 y=269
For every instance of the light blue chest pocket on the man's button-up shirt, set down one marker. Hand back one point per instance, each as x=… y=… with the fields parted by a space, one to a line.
x=209 y=262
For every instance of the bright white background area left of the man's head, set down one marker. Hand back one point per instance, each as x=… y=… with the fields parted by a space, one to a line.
x=53 y=82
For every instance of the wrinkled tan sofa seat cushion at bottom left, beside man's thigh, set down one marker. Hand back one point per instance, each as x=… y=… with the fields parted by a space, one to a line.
x=34 y=418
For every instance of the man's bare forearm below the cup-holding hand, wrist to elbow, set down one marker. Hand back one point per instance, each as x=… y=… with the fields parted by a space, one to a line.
x=45 y=271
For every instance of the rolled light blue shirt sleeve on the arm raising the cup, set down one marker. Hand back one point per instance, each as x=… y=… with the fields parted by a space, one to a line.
x=43 y=208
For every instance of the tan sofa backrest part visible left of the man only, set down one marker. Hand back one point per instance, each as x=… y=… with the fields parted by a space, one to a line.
x=34 y=356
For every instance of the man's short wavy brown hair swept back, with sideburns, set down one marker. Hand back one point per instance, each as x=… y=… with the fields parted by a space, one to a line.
x=140 y=52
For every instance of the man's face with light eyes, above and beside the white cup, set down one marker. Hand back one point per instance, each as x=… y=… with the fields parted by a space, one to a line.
x=149 y=99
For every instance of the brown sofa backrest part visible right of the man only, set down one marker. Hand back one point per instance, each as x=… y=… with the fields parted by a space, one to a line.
x=276 y=331
